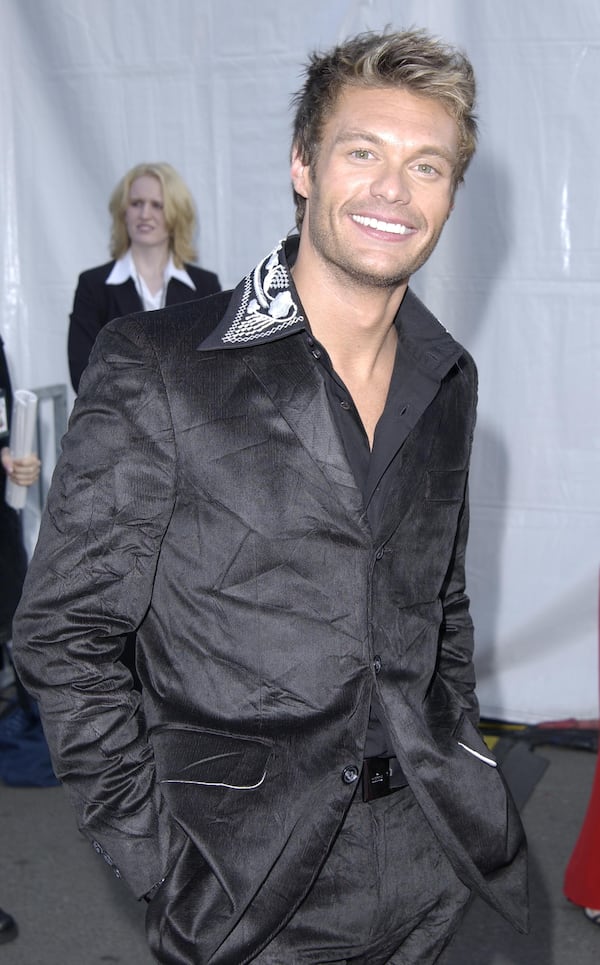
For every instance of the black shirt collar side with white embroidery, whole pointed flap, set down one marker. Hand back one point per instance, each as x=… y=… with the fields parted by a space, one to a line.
x=264 y=306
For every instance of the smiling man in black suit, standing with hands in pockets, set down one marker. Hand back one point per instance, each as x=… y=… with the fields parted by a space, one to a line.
x=270 y=487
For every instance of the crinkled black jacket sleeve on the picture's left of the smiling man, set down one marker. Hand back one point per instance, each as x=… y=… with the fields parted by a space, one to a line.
x=89 y=583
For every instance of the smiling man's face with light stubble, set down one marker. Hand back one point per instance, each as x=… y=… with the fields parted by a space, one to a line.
x=382 y=186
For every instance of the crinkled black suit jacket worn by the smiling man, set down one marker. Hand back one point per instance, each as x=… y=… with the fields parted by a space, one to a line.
x=204 y=499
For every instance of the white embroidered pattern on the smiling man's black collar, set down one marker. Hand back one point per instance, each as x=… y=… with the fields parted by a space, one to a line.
x=267 y=303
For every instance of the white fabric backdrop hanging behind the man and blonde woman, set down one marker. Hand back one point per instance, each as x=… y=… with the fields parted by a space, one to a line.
x=90 y=87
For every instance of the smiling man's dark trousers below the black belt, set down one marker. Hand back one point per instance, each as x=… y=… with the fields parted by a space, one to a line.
x=387 y=894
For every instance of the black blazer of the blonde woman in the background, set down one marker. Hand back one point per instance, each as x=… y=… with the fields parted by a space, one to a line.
x=97 y=303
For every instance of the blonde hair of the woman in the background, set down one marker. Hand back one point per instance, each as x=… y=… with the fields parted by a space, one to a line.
x=180 y=213
